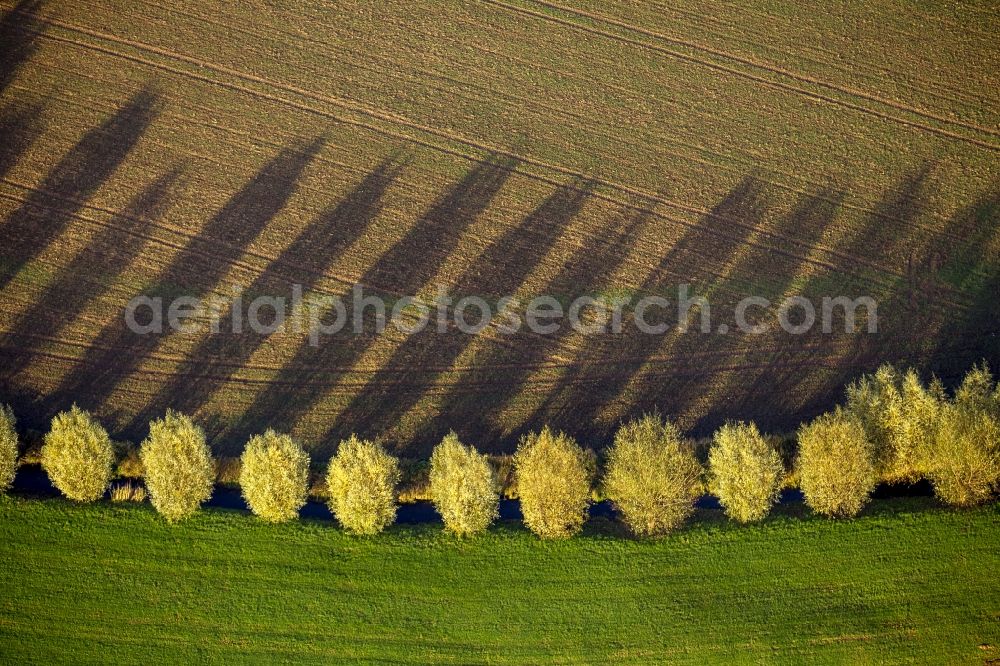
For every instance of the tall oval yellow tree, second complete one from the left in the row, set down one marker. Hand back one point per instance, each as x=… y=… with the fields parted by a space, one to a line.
x=177 y=466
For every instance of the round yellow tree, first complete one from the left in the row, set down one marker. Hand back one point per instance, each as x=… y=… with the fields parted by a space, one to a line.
x=78 y=455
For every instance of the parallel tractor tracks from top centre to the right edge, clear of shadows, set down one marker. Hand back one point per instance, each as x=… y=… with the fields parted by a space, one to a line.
x=771 y=69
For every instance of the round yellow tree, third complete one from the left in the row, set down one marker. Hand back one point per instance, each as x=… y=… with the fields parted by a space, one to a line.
x=274 y=476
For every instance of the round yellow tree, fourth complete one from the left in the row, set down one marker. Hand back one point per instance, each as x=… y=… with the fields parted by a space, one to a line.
x=362 y=480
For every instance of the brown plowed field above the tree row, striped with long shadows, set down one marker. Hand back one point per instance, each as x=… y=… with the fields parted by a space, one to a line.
x=501 y=148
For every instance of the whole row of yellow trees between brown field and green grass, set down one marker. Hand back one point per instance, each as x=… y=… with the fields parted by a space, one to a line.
x=893 y=427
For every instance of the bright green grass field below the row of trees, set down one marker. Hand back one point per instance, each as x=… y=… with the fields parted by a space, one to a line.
x=908 y=582
